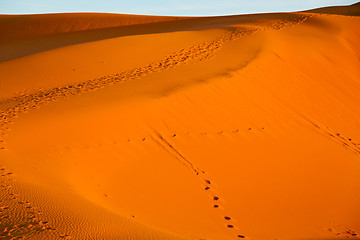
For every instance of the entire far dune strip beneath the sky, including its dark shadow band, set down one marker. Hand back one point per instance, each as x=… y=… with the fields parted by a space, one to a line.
x=25 y=35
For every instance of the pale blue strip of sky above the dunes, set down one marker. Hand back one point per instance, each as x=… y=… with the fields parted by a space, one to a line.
x=164 y=7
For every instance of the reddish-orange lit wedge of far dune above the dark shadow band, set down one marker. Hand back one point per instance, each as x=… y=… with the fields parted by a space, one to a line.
x=14 y=27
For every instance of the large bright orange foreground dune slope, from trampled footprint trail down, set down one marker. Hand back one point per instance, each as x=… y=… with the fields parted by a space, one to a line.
x=161 y=142
